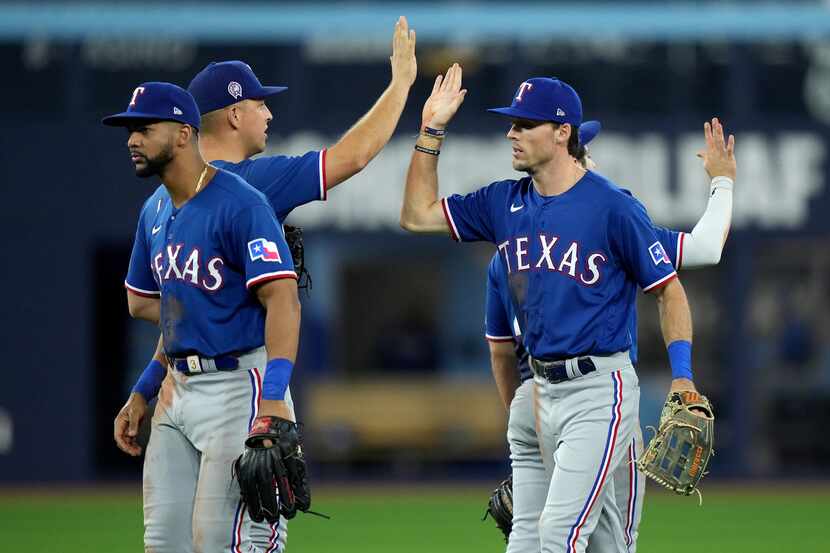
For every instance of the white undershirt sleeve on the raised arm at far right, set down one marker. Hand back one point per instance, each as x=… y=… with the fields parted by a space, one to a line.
x=703 y=246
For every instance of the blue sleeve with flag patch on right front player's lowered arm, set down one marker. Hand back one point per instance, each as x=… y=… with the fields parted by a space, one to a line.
x=636 y=245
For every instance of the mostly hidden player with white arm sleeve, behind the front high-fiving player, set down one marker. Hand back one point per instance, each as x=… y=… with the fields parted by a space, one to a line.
x=701 y=247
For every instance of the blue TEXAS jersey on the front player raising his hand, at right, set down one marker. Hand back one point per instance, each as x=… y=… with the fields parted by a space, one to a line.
x=574 y=260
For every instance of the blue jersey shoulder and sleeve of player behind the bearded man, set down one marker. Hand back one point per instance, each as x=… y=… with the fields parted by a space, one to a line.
x=287 y=182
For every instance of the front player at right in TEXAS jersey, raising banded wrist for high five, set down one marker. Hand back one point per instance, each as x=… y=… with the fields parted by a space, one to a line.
x=576 y=248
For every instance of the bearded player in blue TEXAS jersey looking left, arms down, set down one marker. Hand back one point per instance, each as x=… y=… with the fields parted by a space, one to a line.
x=211 y=254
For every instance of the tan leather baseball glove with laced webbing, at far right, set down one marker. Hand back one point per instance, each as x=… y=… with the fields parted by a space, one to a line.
x=677 y=456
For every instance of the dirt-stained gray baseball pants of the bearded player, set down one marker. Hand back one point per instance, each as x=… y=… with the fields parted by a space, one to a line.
x=191 y=501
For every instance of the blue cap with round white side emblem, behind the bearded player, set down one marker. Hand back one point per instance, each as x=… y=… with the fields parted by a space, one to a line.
x=223 y=83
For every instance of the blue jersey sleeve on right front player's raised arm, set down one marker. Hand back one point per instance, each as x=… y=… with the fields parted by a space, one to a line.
x=470 y=217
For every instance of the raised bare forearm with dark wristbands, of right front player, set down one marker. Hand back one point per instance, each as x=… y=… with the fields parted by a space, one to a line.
x=422 y=210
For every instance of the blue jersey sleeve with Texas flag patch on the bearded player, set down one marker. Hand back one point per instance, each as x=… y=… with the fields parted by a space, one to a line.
x=260 y=244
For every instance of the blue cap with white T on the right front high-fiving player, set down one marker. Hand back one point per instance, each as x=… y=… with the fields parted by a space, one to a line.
x=545 y=99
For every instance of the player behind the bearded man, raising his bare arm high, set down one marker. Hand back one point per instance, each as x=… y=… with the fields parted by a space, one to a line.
x=234 y=121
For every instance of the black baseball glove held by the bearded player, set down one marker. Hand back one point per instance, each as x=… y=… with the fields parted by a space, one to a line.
x=272 y=478
